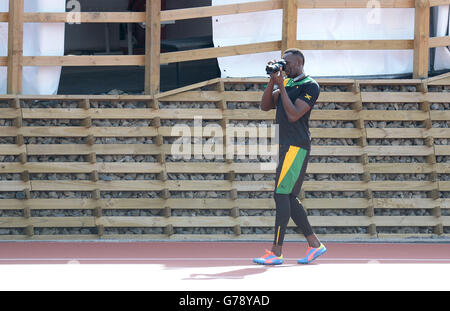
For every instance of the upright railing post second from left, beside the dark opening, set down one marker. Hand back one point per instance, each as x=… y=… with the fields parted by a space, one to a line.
x=152 y=47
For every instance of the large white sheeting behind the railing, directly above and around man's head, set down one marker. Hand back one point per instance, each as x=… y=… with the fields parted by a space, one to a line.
x=318 y=24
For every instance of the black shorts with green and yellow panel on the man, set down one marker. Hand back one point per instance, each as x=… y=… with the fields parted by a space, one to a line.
x=291 y=169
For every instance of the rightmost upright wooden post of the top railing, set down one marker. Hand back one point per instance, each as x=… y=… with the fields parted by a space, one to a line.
x=421 y=38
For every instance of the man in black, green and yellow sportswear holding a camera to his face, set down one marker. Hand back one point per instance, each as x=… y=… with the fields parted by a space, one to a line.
x=293 y=97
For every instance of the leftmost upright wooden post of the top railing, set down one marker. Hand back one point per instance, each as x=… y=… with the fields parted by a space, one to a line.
x=15 y=46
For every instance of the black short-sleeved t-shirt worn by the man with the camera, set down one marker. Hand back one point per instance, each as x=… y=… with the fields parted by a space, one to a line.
x=297 y=133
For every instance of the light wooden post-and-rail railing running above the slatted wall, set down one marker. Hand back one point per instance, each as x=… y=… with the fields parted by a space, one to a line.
x=154 y=16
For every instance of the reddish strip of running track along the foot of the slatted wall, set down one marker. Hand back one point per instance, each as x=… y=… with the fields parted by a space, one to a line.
x=211 y=254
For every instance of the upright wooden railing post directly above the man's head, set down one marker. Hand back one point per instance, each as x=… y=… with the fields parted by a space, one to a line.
x=289 y=30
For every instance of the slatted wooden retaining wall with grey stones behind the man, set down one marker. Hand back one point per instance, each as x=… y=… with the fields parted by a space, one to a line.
x=142 y=192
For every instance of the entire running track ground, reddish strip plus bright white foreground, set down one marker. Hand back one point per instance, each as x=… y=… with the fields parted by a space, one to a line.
x=206 y=266
